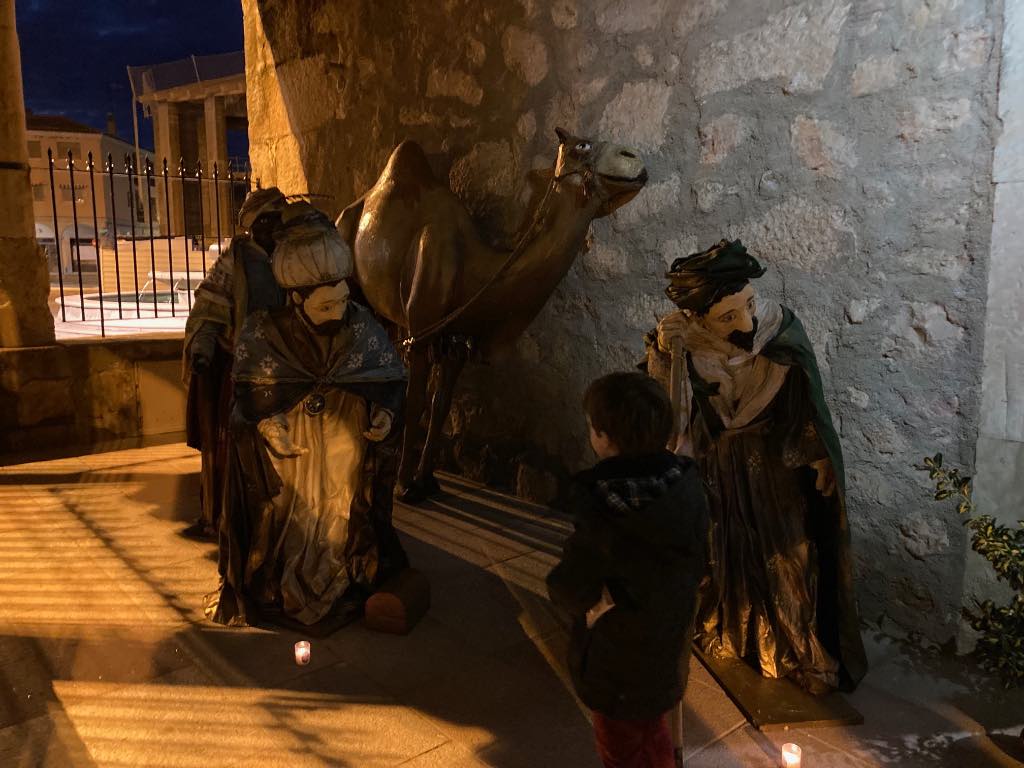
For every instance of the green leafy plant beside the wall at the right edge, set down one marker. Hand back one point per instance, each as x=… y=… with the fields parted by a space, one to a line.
x=1001 y=648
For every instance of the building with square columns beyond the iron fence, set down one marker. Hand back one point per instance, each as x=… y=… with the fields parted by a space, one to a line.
x=194 y=103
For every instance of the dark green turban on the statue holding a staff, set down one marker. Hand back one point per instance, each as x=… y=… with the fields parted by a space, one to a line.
x=699 y=281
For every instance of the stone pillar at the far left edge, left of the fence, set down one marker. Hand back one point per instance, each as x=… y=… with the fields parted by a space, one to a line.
x=25 y=288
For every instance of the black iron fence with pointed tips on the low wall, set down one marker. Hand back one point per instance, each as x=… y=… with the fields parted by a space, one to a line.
x=145 y=238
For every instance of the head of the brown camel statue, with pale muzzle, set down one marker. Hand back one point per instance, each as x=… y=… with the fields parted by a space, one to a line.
x=611 y=174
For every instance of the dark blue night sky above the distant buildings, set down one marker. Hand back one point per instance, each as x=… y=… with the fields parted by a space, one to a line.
x=75 y=54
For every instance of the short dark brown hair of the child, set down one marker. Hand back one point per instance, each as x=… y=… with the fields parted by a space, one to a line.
x=632 y=410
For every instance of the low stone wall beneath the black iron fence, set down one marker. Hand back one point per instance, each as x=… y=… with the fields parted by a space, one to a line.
x=89 y=394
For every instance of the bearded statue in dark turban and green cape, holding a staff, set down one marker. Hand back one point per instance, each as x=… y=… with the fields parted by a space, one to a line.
x=754 y=416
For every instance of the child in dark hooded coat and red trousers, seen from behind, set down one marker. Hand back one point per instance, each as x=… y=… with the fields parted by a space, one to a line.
x=630 y=572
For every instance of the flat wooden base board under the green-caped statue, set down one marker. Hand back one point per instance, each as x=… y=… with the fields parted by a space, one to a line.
x=776 y=705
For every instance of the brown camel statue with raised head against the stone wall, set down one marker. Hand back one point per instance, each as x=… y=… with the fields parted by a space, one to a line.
x=422 y=266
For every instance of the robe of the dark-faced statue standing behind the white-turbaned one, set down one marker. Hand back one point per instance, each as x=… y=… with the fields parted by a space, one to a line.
x=239 y=282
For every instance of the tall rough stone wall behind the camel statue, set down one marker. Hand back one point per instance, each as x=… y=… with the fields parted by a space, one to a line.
x=848 y=144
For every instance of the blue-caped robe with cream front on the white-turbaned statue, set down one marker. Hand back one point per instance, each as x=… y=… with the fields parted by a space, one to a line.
x=310 y=537
